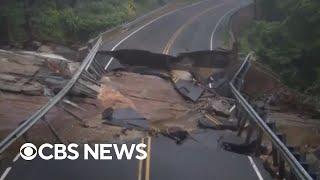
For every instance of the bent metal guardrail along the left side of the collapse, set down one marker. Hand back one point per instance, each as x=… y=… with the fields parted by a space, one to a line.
x=28 y=123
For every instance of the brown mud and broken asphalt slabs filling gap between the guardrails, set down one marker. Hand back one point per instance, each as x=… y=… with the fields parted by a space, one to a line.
x=170 y=92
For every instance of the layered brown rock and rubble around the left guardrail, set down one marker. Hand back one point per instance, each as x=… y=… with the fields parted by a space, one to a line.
x=27 y=82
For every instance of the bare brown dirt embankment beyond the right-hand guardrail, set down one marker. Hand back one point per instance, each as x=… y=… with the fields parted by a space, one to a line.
x=291 y=115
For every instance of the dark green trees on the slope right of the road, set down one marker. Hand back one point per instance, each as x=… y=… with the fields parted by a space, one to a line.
x=286 y=37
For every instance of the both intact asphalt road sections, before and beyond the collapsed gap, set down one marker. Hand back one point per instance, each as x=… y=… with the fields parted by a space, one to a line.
x=187 y=29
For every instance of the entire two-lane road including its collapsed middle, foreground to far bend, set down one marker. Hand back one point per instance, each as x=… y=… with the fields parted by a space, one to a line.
x=141 y=93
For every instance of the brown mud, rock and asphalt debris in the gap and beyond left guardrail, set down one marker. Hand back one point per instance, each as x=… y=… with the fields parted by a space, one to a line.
x=140 y=91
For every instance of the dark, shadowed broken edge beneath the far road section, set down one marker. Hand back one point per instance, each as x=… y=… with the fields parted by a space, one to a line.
x=184 y=61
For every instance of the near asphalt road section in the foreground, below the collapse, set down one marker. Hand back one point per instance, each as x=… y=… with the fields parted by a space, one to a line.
x=199 y=157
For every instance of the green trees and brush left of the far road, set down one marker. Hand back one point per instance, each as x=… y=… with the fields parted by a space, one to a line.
x=65 y=21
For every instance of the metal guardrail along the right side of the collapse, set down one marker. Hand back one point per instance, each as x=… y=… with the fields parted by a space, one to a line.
x=283 y=150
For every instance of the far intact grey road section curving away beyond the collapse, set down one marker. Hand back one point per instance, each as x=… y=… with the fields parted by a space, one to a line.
x=187 y=29
